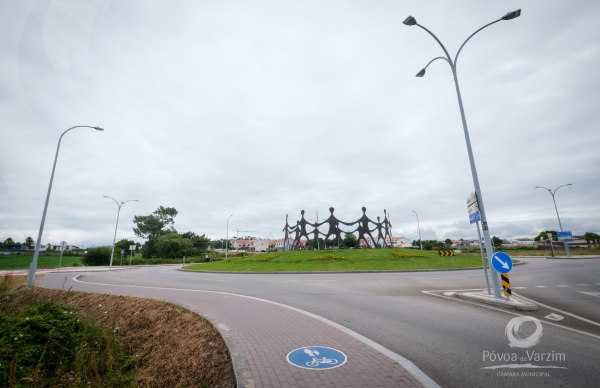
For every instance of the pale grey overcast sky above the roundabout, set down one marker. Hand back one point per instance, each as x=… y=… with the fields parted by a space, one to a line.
x=259 y=109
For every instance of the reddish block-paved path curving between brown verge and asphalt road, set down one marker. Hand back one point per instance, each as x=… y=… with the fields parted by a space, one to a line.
x=261 y=333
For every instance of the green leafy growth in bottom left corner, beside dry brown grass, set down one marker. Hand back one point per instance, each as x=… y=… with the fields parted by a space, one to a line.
x=49 y=345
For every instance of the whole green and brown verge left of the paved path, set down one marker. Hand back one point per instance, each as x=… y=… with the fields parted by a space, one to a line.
x=53 y=338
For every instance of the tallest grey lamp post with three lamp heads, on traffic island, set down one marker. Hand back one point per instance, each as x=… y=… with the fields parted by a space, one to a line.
x=411 y=21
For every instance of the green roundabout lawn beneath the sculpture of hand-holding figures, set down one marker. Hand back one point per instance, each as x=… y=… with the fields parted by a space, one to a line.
x=354 y=260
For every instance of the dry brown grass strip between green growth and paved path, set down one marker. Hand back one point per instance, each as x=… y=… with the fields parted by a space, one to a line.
x=173 y=347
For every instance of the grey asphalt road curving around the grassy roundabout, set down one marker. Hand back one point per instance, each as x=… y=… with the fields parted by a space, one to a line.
x=449 y=339
